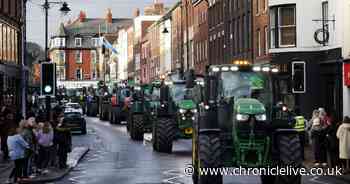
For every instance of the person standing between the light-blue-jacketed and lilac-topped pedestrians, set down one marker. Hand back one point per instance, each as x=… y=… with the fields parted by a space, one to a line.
x=29 y=136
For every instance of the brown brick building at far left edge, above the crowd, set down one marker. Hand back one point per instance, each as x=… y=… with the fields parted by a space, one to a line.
x=10 y=51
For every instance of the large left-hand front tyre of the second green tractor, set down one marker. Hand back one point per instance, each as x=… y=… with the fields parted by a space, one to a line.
x=165 y=131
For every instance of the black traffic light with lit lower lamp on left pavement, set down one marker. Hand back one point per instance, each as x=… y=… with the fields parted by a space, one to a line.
x=48 y=79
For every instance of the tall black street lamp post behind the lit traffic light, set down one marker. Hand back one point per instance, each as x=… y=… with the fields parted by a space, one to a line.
x=64 y=9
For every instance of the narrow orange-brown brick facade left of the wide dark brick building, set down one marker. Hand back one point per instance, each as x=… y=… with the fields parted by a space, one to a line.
x=200 y=10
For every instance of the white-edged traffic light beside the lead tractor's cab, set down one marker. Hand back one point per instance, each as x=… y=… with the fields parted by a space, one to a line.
x=299 y=77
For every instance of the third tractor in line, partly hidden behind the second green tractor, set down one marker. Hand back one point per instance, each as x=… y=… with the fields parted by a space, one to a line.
x=139 y=120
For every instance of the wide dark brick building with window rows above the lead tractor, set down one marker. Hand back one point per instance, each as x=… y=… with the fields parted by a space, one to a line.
x=230 y=31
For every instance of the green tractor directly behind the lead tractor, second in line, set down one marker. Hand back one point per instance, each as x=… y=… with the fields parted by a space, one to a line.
x=174 y=116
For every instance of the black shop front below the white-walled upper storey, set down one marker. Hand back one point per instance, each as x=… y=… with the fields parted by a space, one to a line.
x=323 y=81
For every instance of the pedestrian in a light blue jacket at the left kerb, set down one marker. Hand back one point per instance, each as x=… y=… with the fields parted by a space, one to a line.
x=17 y=148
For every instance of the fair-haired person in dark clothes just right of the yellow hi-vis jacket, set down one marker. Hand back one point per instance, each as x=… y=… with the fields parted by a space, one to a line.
x=317 y=136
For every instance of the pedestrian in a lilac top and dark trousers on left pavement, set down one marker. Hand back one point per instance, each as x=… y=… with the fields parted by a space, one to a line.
x=45 y=142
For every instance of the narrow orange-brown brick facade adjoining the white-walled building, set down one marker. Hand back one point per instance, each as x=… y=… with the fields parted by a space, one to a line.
x=260 y=31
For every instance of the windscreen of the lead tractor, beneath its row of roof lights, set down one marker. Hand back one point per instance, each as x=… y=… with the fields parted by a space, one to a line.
x=248 y=85
